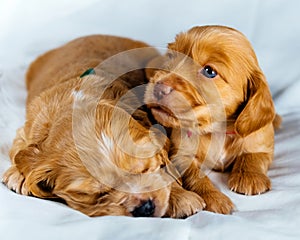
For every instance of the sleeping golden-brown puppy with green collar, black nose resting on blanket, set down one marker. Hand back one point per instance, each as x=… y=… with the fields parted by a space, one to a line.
x=80 y=145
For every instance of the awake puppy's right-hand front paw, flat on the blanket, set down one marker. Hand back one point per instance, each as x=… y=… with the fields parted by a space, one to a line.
x=249 y=183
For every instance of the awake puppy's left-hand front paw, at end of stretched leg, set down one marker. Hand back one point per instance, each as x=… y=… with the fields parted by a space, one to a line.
x=217 y=202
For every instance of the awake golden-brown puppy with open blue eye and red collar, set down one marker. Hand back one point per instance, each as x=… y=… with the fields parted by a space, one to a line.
x=212 y=93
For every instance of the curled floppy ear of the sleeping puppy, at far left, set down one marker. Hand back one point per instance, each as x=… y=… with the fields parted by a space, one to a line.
x=39 y=178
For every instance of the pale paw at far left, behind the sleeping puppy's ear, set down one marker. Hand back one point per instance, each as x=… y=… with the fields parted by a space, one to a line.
x=14 y=180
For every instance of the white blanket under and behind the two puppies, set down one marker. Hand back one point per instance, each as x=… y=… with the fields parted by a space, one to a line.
x=29 y=28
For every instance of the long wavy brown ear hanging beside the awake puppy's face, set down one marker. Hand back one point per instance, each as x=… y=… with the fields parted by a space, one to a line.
x=259 y=108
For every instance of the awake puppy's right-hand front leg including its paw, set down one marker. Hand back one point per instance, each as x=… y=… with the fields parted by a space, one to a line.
x=249 y=174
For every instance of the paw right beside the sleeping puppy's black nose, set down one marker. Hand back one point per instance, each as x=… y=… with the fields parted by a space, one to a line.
x=184 y=203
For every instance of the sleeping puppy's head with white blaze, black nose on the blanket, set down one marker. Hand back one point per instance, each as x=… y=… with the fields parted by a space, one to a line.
x=101 y=169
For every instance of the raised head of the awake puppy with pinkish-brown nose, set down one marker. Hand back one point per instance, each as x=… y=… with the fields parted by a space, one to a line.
x=210 y=74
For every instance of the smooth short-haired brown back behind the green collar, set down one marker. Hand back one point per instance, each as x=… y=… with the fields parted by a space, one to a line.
x=75 y=57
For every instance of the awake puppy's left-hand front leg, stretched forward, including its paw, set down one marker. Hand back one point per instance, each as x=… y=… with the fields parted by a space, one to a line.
x=197 y=182
